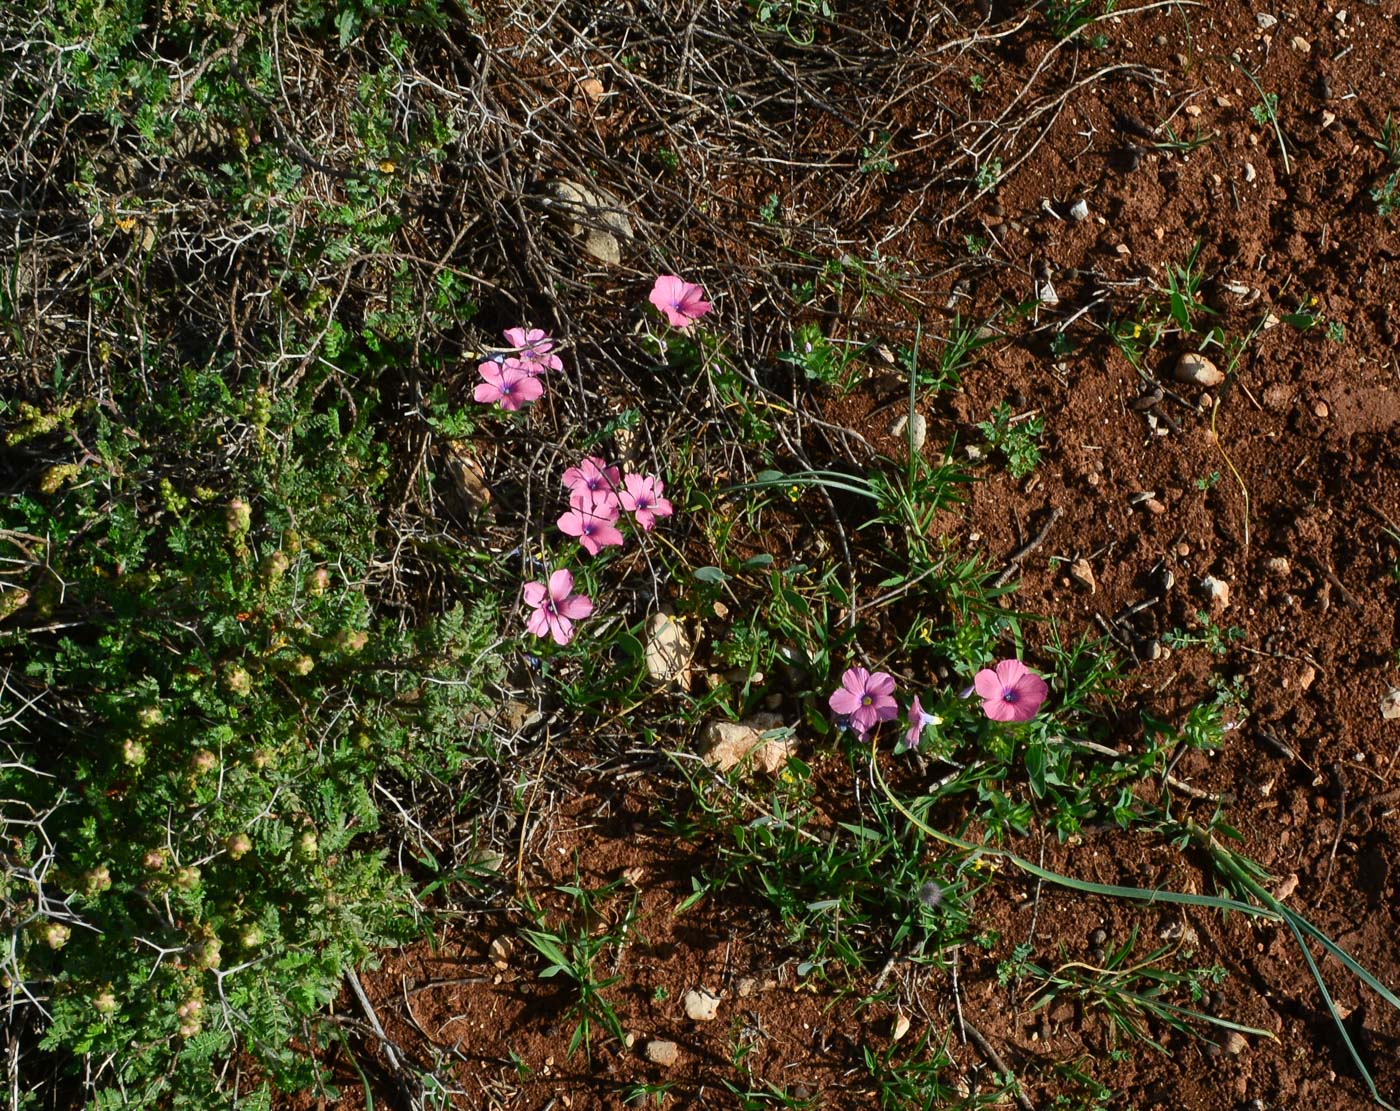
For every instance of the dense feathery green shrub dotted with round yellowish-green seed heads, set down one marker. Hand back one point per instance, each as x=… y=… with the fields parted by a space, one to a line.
x=201 y=702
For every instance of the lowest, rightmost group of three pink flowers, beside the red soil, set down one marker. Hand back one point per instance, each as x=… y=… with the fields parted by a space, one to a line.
x=1010 y=693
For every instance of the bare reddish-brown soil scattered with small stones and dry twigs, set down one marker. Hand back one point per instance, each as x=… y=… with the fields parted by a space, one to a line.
x=1282 y=485
